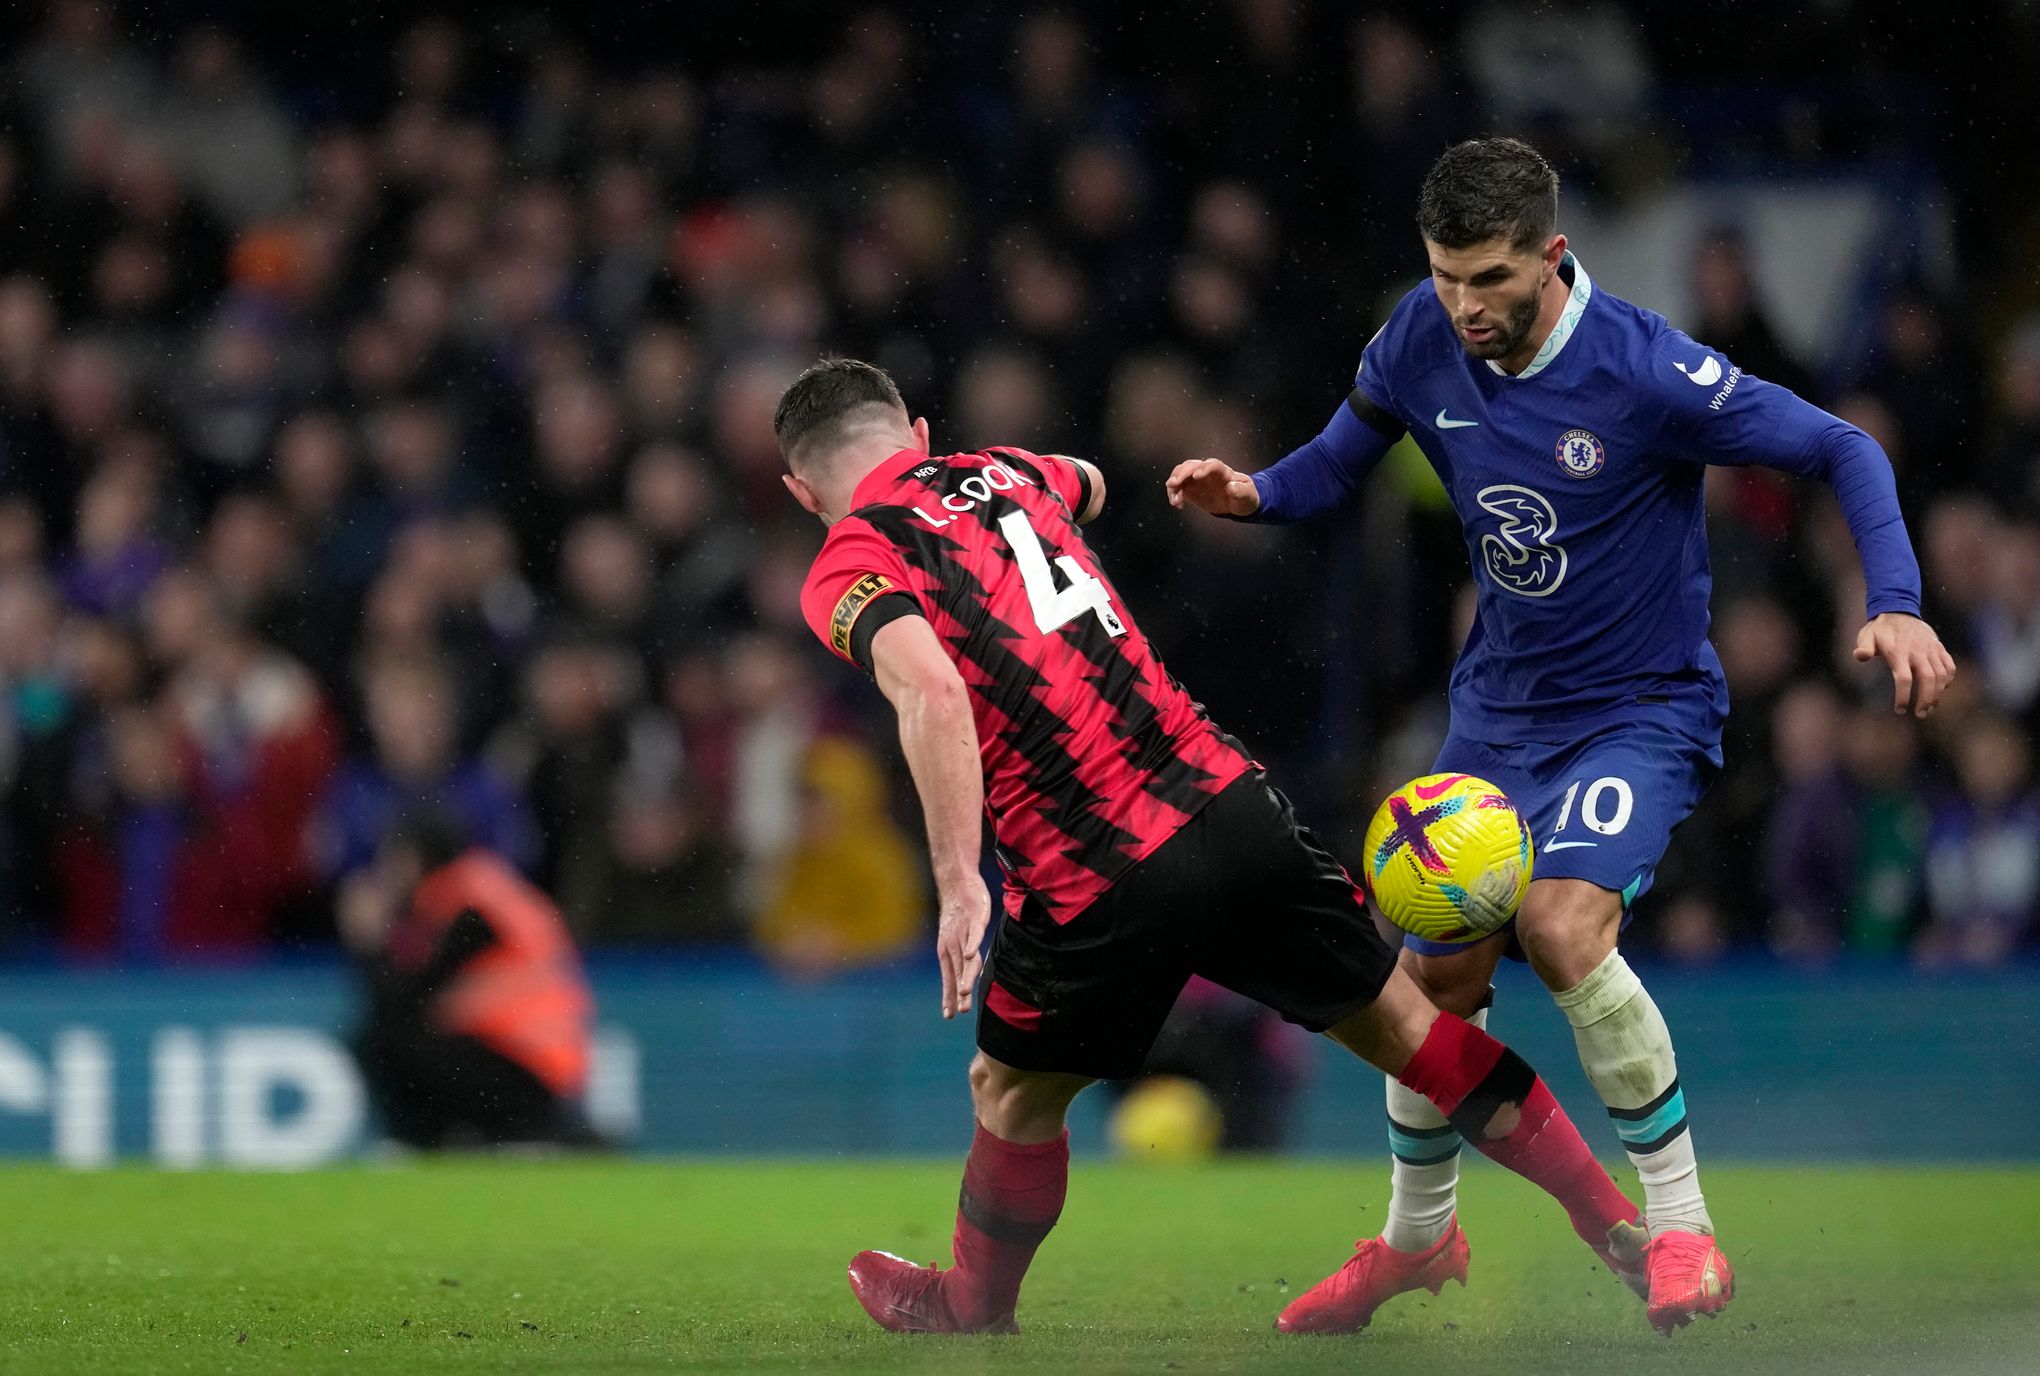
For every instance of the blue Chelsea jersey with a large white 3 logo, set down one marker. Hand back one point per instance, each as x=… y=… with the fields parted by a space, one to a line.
x=1578 y=484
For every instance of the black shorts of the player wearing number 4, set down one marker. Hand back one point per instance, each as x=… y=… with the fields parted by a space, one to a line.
x=1241 y=896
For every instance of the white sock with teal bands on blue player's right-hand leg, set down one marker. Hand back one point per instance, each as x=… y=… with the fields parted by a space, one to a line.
x=1627 y=1051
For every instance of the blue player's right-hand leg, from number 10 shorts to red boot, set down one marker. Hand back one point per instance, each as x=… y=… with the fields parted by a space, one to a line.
x=1631 y=790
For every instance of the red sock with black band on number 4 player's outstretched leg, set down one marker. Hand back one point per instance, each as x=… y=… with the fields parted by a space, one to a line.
x=1484 y=1088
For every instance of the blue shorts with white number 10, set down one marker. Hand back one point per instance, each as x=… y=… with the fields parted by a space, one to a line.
x=1598 y=810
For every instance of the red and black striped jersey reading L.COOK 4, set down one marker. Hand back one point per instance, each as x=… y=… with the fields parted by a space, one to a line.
x=1092 y=753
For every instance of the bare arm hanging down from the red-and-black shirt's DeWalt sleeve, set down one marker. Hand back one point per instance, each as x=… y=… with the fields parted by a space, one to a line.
x=941 y=751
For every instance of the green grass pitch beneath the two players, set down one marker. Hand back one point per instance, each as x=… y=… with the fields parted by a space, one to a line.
x=654 y=1267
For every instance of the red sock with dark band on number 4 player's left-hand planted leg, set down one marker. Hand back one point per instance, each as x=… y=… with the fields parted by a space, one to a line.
x=1013 y=1196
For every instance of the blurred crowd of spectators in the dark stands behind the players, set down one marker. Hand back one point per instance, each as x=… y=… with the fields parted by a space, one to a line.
x=407 y=441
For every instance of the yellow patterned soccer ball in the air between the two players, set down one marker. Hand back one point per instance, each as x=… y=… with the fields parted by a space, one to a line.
x=1447 y=857
